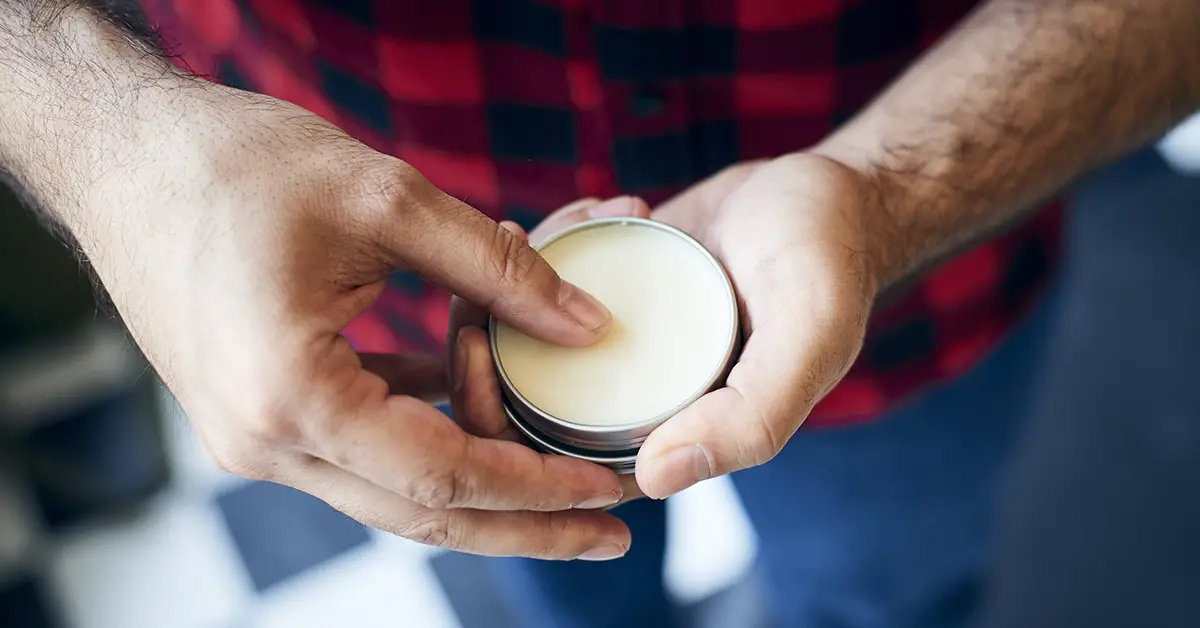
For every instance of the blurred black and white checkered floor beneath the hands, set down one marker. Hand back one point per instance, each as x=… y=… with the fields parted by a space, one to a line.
x=217 y=552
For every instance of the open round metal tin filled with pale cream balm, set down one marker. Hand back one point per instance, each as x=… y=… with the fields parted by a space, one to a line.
x=675 y=332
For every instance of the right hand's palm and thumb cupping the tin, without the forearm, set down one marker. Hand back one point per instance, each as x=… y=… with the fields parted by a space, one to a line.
x=791 y=235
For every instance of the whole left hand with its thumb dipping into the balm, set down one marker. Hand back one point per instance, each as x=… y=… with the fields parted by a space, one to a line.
x=247 y=237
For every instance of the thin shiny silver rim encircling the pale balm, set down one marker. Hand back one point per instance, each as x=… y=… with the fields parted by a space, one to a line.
x=719 y=373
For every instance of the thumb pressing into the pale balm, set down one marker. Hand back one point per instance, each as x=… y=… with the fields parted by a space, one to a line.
x=455 y=247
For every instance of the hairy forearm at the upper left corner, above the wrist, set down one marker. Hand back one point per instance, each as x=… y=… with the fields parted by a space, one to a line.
x=82 y=92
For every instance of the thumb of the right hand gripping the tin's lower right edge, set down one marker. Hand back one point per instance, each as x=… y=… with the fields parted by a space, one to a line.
x=783 y=372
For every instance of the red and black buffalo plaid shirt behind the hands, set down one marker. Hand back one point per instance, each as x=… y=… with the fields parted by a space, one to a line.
x=521 y=106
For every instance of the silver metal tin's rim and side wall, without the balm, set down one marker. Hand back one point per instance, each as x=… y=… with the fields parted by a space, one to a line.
x=614 y=446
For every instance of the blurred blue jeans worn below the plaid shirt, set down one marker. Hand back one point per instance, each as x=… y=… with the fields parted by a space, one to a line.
x=877 y=525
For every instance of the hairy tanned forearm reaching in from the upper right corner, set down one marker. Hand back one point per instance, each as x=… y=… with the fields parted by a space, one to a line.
x=1023 y=98
